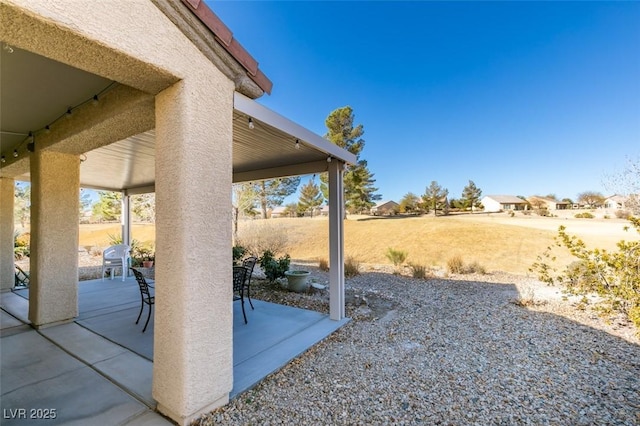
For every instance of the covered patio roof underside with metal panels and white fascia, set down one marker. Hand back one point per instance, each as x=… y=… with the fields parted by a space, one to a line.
x=272 y=146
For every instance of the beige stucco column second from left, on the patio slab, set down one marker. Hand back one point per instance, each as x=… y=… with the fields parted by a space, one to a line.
x=53 y=285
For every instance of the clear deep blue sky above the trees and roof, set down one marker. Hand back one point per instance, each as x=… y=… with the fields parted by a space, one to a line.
x=522 y=98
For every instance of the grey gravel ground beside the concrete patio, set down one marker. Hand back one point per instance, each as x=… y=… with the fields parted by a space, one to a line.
x=454 y=350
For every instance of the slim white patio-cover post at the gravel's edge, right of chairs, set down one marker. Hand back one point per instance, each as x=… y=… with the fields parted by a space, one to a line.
x=336 y=241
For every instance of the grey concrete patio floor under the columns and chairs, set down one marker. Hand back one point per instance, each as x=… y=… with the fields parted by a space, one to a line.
x=98 y=369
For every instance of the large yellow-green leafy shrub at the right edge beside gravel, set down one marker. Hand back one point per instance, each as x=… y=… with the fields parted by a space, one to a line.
x=615 y=275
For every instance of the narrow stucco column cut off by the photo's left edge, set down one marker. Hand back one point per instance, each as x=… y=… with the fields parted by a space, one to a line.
x=6 y=233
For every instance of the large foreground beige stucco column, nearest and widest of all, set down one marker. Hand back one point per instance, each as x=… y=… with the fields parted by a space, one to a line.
x=193 y=340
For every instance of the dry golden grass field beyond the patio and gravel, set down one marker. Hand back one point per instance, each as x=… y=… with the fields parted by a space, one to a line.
x=498 y=242
